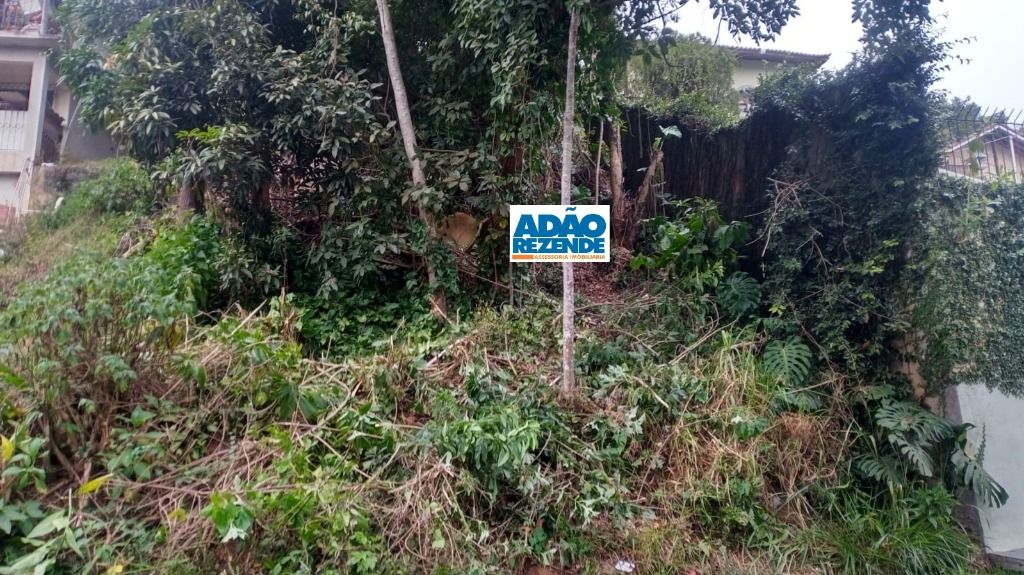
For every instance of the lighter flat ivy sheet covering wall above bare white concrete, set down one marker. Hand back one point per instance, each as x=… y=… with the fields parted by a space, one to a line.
x=968 y=290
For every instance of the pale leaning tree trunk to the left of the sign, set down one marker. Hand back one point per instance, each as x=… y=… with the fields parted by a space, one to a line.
x=409 y=141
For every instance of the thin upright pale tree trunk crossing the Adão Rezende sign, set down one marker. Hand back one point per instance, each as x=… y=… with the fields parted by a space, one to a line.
x=569 y=284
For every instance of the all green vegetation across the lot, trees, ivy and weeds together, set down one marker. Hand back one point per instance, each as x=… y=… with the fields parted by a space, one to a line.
x=263 y=381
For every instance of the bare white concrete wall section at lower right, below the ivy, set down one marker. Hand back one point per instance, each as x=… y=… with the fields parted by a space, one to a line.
x=1002 y=418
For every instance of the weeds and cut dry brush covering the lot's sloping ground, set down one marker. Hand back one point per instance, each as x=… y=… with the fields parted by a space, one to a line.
x=144 y=435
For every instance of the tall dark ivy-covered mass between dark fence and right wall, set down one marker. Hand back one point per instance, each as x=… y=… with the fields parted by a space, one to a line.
x=838 y=249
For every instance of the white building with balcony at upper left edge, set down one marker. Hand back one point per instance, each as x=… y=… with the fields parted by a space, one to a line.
x=36 y=113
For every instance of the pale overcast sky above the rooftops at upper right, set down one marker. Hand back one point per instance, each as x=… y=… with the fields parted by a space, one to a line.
x=995 y=77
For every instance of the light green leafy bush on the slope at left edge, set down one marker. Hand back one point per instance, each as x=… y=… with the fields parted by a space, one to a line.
x=76 y=344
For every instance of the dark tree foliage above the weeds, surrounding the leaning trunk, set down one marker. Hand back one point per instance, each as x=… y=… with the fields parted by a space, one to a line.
x=277 y=115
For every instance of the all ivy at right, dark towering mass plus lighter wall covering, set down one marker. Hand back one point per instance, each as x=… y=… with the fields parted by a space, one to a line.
x=864 y=251
